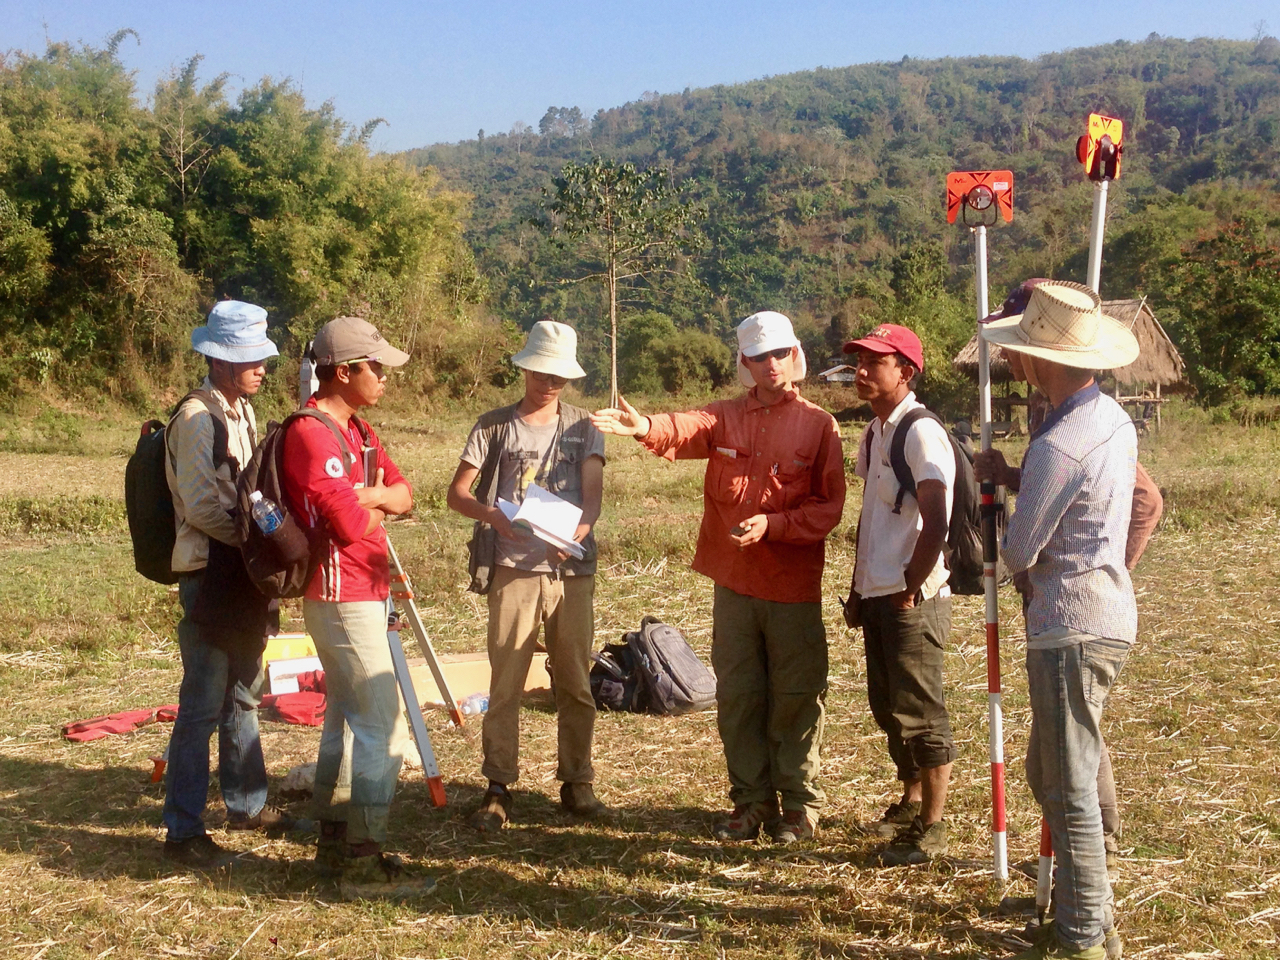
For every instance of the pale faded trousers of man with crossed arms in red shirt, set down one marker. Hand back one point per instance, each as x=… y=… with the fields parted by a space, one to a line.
x=364 y=708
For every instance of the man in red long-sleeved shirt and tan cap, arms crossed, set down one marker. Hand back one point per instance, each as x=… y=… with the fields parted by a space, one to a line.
x=345 y=606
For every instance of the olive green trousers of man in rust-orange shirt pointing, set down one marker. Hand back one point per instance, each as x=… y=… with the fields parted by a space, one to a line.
x=771 y=688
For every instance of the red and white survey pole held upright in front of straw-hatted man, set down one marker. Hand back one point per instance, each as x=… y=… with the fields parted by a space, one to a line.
x=995 y=710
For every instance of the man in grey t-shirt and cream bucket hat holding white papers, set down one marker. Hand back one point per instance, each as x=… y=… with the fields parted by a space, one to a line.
x=532 y=584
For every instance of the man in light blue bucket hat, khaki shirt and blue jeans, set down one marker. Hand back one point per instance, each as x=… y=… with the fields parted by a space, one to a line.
x=212 y=435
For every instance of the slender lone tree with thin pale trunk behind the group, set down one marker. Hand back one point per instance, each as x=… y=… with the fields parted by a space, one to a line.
x=624 y=223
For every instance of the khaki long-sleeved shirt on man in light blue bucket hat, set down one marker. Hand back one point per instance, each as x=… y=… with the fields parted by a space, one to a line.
x=202 y=496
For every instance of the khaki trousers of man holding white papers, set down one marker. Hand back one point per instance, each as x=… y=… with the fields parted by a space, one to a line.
x=519 y=605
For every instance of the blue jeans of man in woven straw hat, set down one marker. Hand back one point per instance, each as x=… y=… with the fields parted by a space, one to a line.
x=1069 y=687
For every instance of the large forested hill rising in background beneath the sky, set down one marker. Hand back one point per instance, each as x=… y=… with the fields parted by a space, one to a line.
x=825 y=189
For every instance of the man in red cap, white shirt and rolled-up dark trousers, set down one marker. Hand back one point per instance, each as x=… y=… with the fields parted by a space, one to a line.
x=900 y=595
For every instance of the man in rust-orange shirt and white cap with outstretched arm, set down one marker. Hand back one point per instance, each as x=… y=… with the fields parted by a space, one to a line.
x=775 y=488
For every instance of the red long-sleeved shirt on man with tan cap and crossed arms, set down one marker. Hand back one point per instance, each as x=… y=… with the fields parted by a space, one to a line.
x=321 y=486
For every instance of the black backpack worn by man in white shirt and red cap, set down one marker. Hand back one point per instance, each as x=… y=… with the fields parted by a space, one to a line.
x=963 y=551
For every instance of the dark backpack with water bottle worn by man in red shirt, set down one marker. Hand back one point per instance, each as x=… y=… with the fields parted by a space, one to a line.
x=284 y=564
